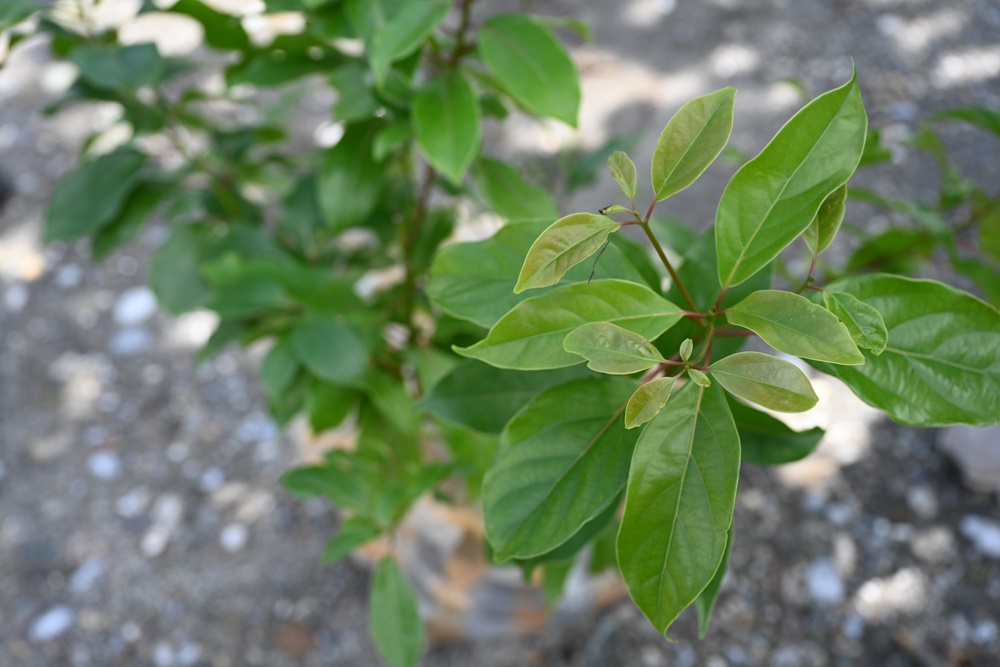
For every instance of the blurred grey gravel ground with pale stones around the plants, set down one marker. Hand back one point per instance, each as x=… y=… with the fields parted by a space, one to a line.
x=142 y=523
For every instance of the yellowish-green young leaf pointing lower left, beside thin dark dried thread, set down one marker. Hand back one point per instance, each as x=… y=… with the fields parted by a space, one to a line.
x=566 y=243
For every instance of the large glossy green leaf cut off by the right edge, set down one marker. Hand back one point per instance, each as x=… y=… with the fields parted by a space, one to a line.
x=940 y=364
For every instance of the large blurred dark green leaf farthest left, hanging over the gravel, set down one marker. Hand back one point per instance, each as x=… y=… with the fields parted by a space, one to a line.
x=92 y=196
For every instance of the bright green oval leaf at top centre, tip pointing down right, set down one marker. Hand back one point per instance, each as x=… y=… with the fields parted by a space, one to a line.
x=531 y=64
